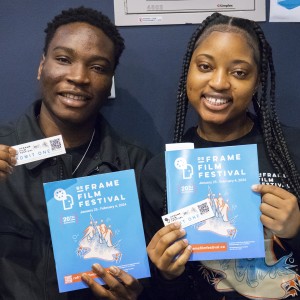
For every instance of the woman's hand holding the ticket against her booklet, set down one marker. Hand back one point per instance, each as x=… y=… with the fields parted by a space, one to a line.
x=168 y=252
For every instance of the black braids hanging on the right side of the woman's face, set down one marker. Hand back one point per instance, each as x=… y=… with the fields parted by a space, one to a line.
x=271 y=128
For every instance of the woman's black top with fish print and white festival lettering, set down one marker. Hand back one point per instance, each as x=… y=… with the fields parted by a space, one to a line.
x=279 y=275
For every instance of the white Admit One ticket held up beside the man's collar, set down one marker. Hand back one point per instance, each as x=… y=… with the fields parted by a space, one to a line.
x=39 y=149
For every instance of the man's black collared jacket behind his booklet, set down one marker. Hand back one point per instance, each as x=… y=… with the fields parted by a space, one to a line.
x=27 y=269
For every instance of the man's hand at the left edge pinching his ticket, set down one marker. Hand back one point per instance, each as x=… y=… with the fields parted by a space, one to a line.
x=7 y=161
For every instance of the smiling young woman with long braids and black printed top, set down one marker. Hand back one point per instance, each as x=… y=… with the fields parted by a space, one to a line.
x=227 y=69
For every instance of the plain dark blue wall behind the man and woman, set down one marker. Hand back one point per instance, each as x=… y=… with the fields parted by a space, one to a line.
x=147 y=77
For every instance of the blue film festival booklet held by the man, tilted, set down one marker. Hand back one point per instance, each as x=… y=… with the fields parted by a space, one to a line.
x=96 y=219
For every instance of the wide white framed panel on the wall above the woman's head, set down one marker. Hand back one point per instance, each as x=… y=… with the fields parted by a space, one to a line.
x=164 y=12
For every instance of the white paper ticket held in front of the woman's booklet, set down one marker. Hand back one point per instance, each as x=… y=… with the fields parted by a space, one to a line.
x=191 y=214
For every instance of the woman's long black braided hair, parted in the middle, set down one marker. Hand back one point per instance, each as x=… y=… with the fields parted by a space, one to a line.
x=264 y=106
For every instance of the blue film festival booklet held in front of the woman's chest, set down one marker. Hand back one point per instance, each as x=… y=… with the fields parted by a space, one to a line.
x=223 y=176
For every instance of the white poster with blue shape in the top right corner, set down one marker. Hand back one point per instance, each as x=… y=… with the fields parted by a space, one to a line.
x=284 y=10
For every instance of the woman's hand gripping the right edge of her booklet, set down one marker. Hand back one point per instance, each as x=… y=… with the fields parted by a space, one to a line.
x=280 y=210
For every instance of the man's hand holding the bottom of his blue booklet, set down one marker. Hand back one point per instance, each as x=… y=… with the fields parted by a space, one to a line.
x=120 y=285
